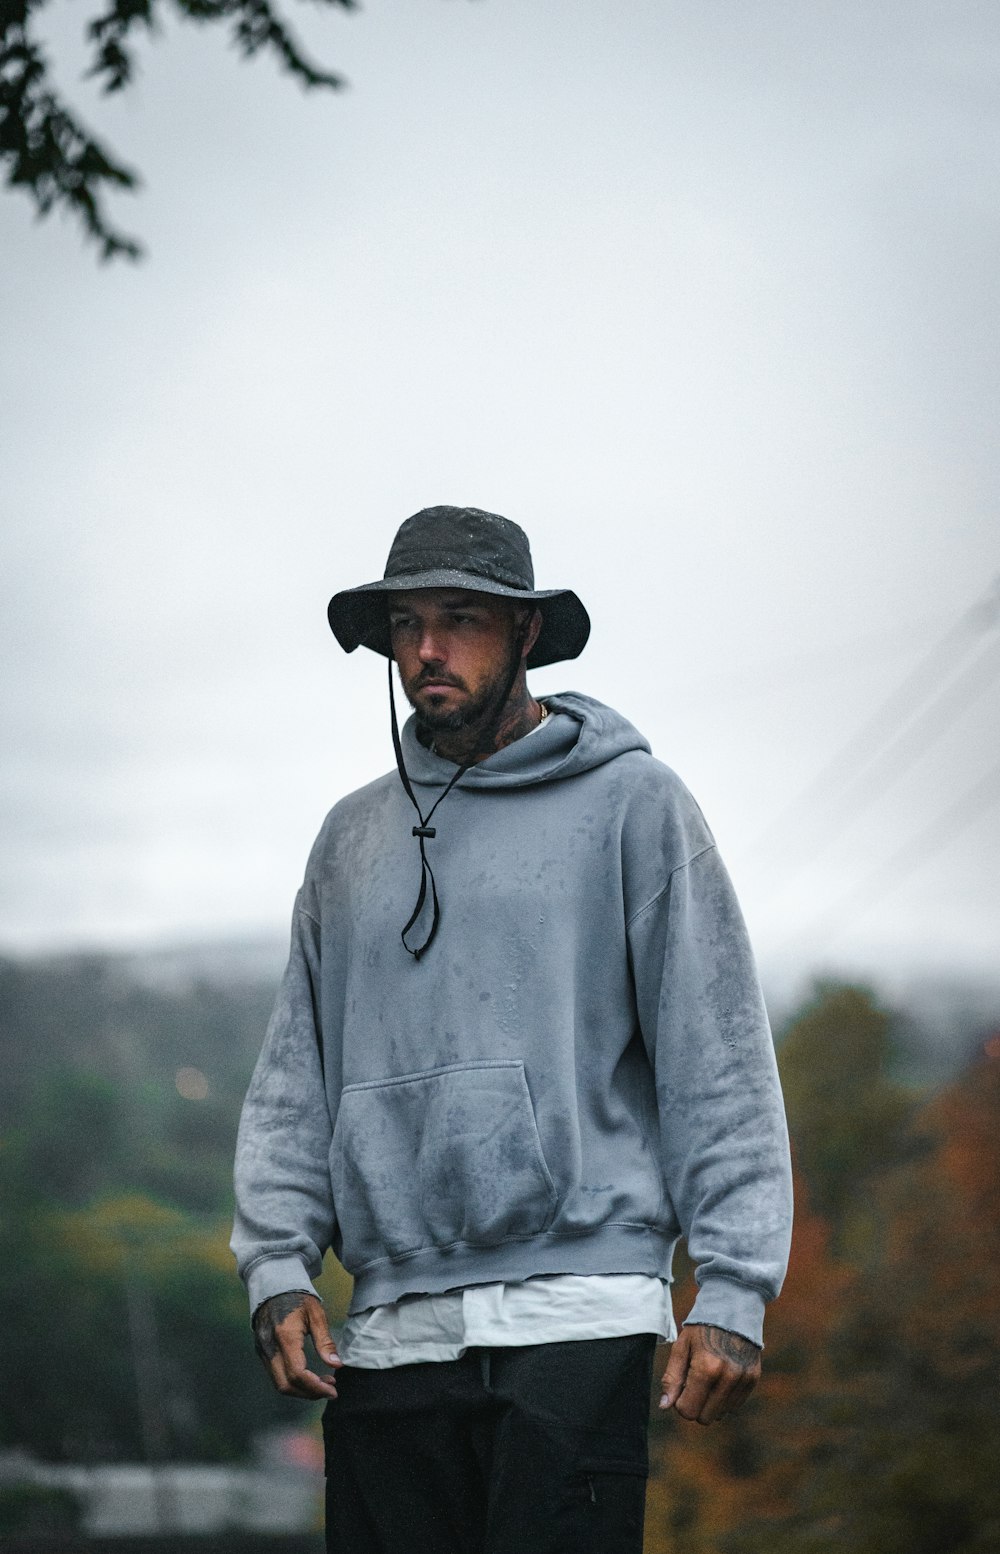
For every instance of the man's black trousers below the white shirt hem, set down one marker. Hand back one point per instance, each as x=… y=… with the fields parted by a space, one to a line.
x=533 y=1451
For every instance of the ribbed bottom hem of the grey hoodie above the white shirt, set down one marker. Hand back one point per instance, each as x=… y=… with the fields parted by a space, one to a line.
x=614 y=1249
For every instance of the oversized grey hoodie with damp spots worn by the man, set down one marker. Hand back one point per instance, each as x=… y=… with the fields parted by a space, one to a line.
x=577 y=1073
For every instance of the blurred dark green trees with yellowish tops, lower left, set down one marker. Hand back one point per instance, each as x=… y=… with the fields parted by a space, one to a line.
x=117 y=1306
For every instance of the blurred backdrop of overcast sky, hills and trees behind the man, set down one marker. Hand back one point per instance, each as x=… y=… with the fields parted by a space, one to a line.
x=707 y=299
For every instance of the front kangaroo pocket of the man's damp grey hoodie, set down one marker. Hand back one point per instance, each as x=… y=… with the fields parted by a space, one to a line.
x=429 y=1160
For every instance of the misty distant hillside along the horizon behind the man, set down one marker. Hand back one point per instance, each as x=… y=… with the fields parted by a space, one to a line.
x=139 y=1017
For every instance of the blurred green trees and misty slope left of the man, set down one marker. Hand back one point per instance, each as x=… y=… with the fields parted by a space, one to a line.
x=116 y=1199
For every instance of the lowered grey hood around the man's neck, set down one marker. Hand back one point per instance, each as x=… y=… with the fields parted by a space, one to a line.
x=578 y=736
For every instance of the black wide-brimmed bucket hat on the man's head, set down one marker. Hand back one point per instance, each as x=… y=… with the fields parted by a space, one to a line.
x=460 y=548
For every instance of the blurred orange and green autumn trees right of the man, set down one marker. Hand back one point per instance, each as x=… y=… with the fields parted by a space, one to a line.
x=878 y=1423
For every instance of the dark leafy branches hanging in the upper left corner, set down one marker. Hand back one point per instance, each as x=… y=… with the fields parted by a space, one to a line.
x=52 y=155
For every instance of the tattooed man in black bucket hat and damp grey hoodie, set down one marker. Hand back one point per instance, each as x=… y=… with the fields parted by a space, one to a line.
x=518 y=1053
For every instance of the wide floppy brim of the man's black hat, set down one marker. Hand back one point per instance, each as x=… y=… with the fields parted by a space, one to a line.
x=359 y=616
